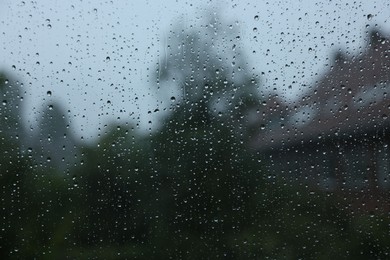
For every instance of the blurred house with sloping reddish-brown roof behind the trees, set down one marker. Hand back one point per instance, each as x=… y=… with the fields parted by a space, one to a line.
x=337 y=136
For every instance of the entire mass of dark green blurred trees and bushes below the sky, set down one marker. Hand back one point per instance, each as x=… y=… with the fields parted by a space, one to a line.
x=192 y=190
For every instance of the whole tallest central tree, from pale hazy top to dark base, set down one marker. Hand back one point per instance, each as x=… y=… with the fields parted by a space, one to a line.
x=208 y=175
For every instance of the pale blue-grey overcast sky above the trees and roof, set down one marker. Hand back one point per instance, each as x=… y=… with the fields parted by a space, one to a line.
x=96 y=57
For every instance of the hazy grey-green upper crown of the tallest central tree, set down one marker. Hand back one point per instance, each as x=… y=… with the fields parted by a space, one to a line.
x=208 y=72
